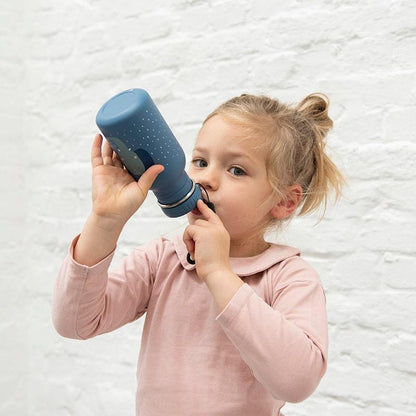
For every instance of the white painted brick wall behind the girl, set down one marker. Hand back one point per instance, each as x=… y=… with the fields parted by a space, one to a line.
x=60 y=60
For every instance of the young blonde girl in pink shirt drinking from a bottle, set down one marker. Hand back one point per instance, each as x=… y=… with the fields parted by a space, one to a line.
x=244 y=329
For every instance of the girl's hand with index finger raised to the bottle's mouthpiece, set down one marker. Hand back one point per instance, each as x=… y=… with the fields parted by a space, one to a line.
x=208 y=243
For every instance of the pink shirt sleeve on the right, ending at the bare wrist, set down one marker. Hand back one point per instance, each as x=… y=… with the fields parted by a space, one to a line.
x=285 y=344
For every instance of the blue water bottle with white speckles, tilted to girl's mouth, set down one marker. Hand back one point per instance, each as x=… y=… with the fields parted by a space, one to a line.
x=137 y=132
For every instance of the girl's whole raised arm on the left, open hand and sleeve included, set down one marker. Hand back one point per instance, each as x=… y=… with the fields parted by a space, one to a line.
x=86 y=301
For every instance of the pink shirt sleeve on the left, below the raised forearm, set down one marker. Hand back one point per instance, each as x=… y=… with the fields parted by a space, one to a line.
x=89 y=301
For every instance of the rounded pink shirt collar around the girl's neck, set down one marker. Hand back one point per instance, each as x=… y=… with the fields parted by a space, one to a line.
x=243 y=266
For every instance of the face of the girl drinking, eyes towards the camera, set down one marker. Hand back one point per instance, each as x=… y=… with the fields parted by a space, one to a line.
x=232 y=168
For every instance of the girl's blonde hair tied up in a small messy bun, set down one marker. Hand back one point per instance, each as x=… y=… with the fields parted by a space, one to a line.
x=295 y=143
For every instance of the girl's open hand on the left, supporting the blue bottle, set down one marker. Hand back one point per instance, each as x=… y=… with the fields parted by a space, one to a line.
x=116 y=195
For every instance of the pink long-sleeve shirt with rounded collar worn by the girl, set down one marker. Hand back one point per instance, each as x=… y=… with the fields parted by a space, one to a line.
x=268 y=346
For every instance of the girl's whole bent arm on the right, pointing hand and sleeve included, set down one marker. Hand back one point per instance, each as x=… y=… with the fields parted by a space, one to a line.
x=283 y=344
